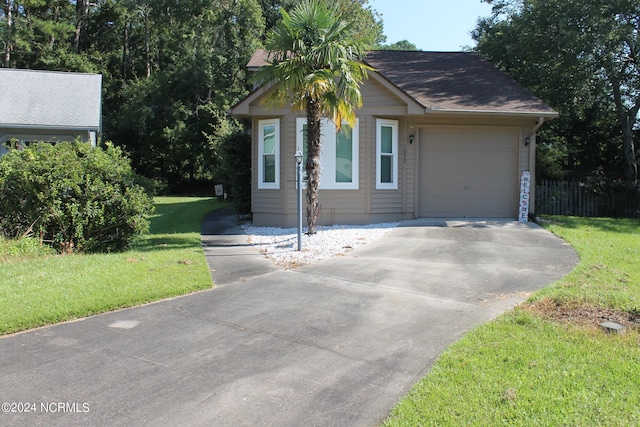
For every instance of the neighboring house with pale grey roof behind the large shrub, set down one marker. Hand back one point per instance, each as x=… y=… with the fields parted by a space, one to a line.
x=49 y=106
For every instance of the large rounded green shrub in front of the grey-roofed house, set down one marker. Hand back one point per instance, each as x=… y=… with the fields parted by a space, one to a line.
x=73 y=196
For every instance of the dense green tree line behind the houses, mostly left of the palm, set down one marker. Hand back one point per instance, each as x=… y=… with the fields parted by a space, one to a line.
x=170 y=69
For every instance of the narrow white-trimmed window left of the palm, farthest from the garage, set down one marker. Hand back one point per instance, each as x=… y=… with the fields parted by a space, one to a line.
x=269 y=154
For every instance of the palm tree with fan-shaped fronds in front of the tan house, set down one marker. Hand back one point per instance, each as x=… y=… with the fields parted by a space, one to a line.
x=315 y=64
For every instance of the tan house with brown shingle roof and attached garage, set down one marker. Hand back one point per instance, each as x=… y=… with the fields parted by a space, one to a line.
x=440 y=134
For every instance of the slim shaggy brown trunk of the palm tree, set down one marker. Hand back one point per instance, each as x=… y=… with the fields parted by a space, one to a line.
x=313 y=160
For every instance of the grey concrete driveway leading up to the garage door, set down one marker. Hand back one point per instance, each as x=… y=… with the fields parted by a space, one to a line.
x=336 y=343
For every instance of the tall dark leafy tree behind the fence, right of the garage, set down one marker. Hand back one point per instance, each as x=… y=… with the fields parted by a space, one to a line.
x=580 y=56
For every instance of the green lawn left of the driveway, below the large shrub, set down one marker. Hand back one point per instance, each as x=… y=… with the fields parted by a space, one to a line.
x=38 y=288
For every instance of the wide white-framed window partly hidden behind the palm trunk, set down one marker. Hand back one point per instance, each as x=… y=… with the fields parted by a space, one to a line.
x=339 y=156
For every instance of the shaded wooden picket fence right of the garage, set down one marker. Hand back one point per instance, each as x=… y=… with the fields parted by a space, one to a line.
x=570 y=198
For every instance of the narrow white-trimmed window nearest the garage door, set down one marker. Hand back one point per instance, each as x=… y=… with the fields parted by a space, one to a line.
x=386 y=154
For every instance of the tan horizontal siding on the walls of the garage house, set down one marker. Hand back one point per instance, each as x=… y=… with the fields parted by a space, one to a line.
x=367 y=204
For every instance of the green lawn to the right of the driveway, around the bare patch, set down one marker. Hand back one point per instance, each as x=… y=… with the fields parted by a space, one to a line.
x=523 y=370
